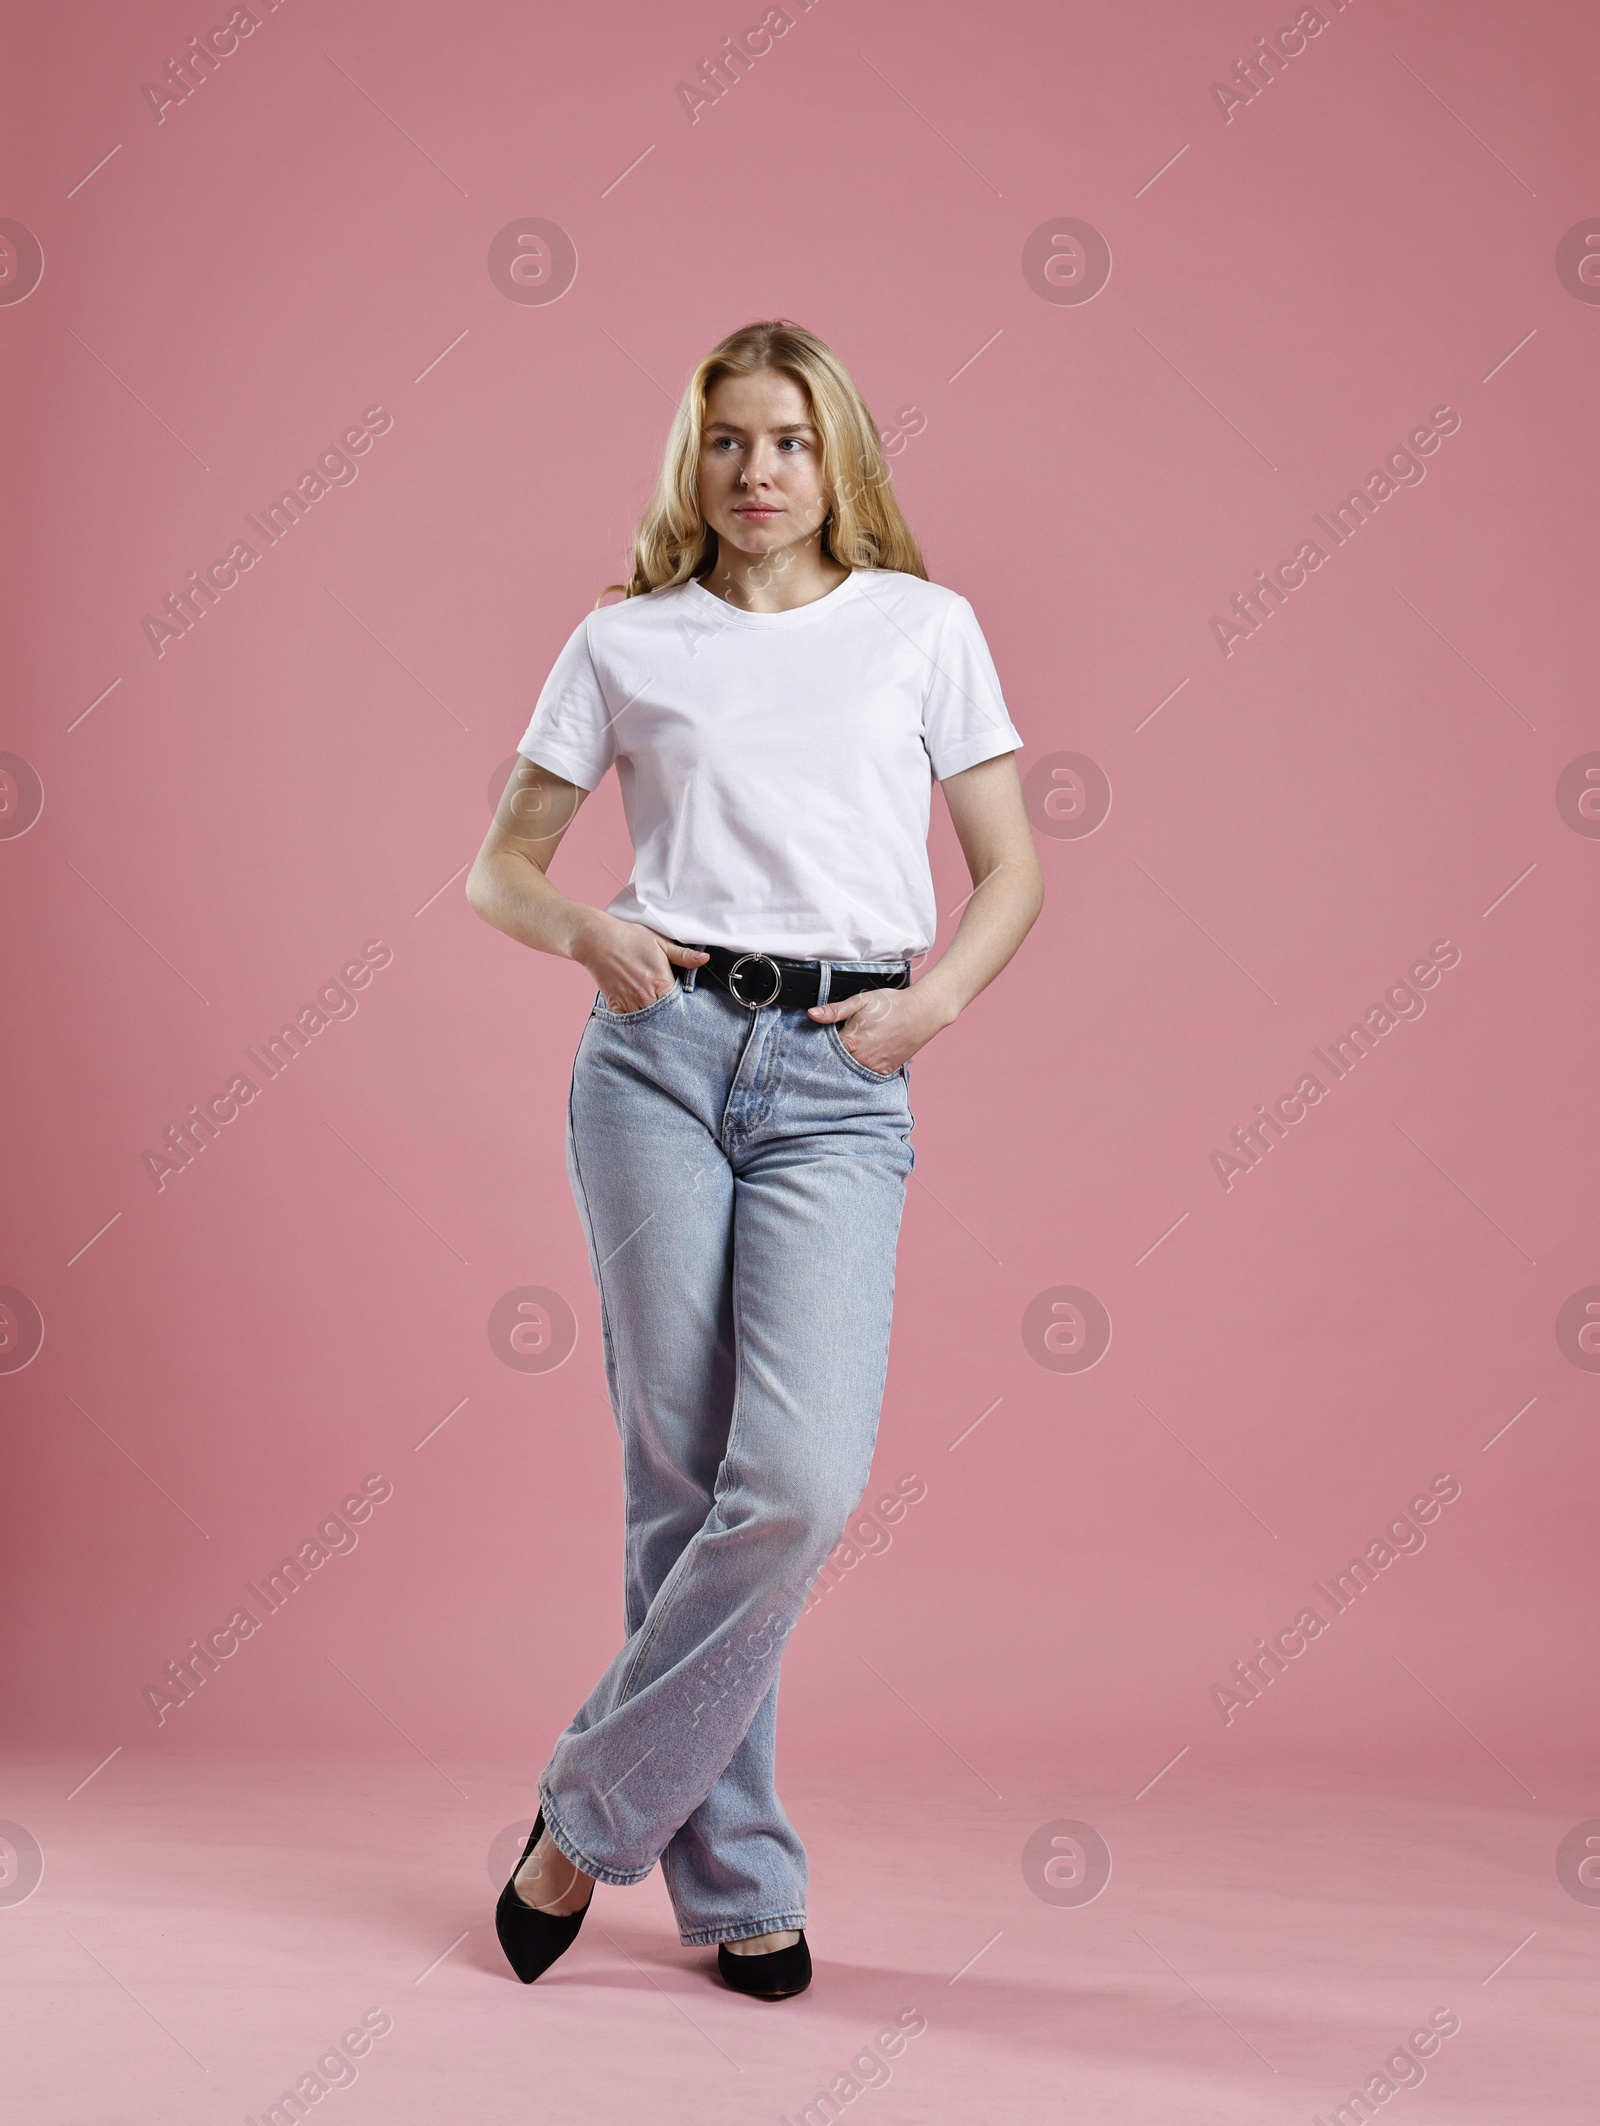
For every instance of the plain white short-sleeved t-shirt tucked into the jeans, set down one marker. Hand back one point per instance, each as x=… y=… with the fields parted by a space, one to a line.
x=777 y=769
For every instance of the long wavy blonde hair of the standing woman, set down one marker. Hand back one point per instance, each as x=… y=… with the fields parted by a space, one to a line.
x=864 y=526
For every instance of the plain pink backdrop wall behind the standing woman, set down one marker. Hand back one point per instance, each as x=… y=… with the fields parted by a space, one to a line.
x=1291 y=830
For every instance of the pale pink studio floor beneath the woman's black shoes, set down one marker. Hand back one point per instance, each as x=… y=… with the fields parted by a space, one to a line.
x=207 y=1927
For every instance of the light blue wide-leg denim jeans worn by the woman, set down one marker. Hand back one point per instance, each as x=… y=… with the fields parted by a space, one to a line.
x=741 y=1181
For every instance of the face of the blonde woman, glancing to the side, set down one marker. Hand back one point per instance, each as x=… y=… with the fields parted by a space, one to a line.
x=762 y=465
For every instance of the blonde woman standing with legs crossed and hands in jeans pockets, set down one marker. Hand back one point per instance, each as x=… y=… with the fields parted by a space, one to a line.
x=779 y=690
